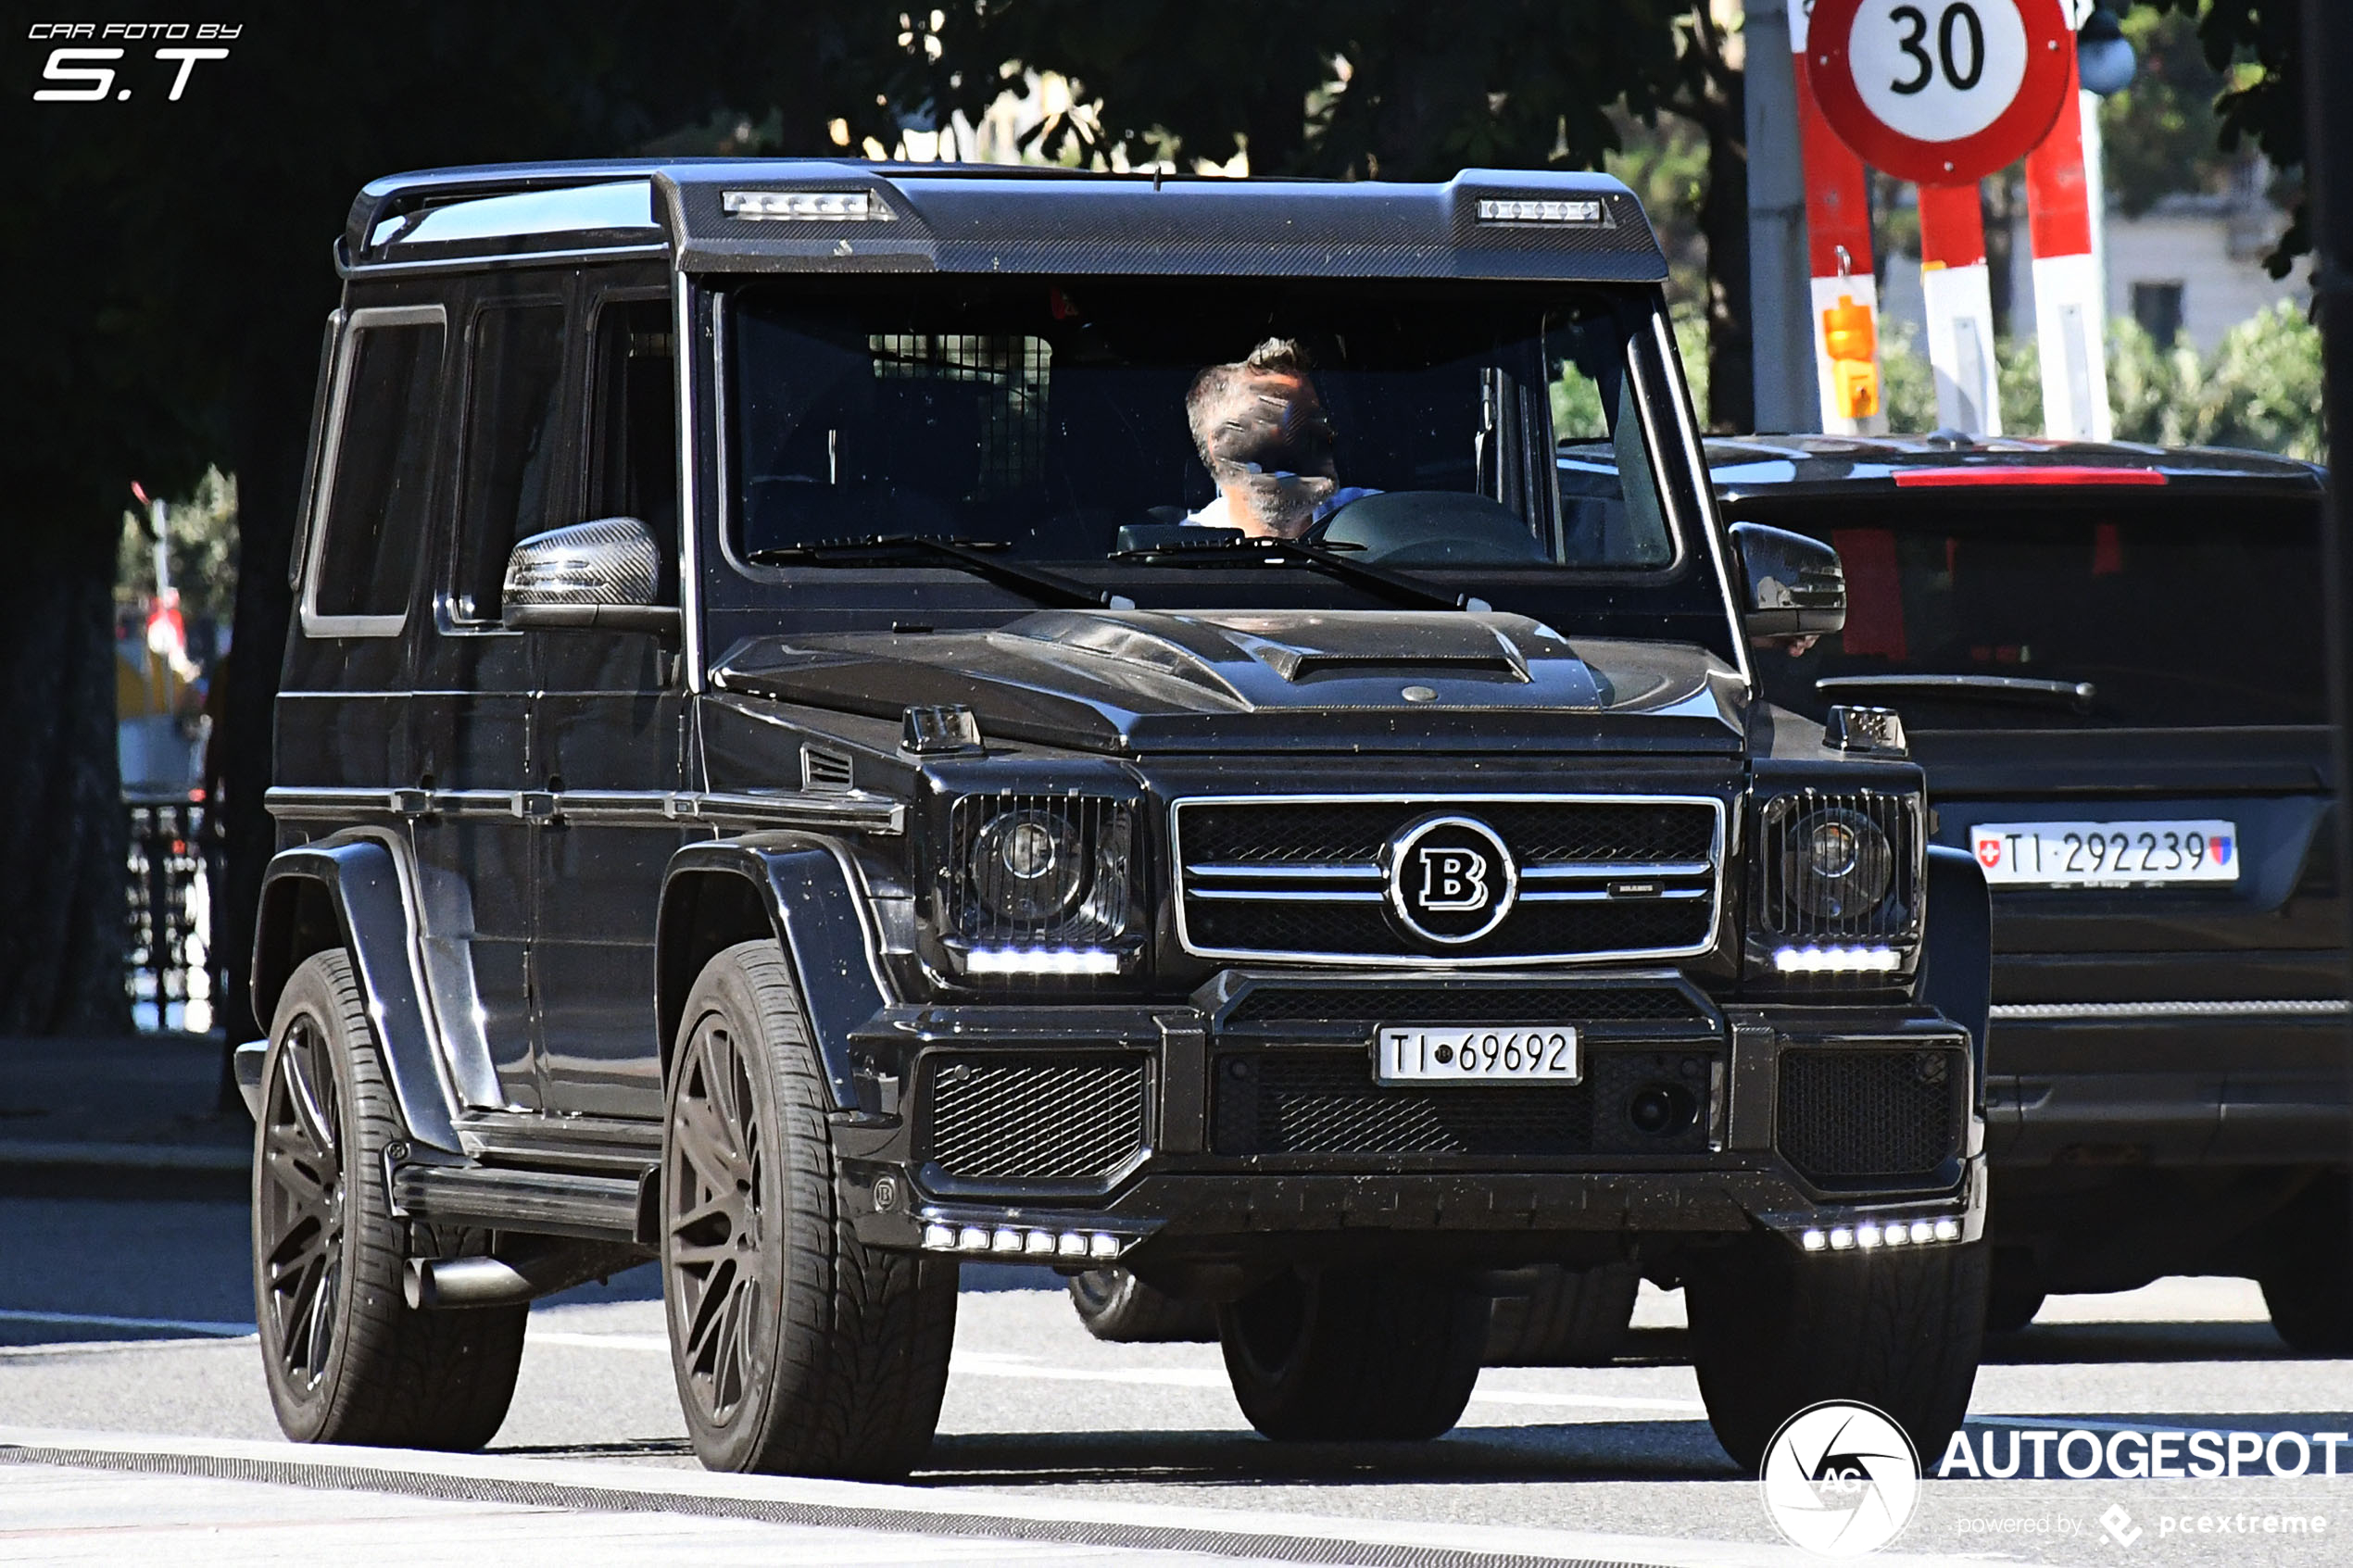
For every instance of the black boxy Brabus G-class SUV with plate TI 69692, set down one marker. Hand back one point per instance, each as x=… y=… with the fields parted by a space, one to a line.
x=855 y=718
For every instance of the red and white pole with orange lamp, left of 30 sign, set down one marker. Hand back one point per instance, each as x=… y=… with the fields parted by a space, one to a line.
x=1839 y=248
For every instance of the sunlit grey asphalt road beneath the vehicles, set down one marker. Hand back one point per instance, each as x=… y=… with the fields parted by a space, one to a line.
x=131 y=1320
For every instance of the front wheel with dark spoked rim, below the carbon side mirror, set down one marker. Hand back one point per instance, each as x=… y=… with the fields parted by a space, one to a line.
x=796 y=1348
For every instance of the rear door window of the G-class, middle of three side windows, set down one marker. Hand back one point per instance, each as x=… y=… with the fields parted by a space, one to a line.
x=514 y=384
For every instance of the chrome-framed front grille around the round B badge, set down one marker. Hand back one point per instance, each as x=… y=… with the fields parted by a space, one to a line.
x=1312 y=878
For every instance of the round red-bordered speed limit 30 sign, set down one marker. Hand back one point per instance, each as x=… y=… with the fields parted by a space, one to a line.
x=1940 y=93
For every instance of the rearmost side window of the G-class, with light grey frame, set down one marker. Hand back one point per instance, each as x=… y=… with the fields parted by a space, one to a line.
x=378 y=474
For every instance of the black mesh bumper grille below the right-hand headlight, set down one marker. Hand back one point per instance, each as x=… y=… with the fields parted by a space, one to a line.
x=1877 y=1115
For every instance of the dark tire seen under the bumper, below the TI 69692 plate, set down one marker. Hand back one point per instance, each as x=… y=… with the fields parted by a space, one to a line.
x=1345 y=1355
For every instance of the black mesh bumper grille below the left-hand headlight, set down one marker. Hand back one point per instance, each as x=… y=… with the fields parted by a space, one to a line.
x=1067 y=1118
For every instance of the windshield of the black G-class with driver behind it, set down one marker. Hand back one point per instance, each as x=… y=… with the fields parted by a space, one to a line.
x=1119 y=424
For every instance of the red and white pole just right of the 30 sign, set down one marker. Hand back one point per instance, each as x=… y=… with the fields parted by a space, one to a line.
x=2069 y=307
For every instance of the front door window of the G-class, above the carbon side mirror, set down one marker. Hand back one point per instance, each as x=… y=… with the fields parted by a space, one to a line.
x=634 y=436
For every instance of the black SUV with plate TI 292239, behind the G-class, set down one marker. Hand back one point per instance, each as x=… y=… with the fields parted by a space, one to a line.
x=2112 y=664
